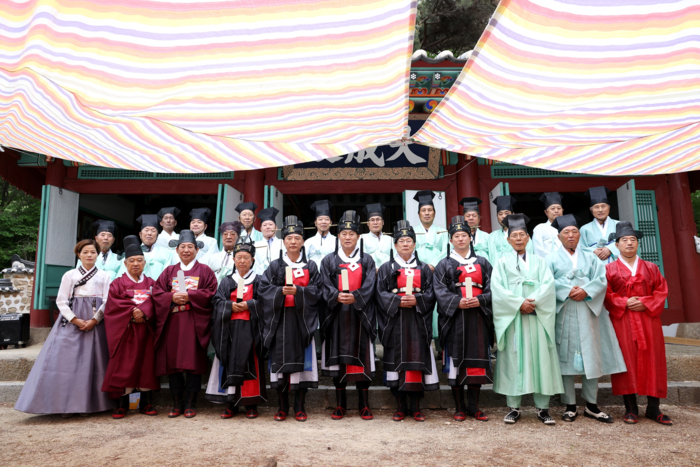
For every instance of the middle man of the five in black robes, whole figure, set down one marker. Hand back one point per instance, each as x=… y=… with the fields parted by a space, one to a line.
x=348 y=322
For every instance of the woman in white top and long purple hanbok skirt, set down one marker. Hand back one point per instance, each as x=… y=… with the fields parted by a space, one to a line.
x=68 y=374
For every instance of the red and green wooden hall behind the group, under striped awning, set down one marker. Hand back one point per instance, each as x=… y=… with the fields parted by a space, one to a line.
x=74 y=196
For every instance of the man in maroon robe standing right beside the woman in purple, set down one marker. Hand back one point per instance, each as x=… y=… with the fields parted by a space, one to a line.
x=129 y=322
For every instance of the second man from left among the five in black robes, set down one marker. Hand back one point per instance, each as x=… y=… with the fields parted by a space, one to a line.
x=289 y=292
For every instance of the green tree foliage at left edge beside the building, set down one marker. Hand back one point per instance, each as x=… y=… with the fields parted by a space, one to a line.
x=19 y=224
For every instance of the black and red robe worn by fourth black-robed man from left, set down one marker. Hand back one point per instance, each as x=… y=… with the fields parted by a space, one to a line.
x=406 y=333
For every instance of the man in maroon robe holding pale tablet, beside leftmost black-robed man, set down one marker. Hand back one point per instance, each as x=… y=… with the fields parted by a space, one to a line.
x=183 y=296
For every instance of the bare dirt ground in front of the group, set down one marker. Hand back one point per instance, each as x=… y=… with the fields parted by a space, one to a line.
x=208 y=440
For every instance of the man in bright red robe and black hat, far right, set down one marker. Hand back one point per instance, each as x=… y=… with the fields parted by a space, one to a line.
x=635 y=299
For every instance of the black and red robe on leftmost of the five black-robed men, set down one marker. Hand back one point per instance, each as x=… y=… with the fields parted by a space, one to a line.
x=237 y=341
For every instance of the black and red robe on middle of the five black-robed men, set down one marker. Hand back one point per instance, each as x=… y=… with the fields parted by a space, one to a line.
x=348 y=331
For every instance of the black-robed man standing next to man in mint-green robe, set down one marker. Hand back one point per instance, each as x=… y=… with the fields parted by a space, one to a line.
x=465 y=321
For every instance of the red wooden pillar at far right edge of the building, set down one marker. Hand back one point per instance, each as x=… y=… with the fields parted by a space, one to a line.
x=684 y=230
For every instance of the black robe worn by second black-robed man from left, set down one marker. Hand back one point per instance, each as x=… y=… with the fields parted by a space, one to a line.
x=289 y=322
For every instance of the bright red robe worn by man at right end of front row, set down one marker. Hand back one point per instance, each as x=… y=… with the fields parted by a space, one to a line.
x=639 y=333
